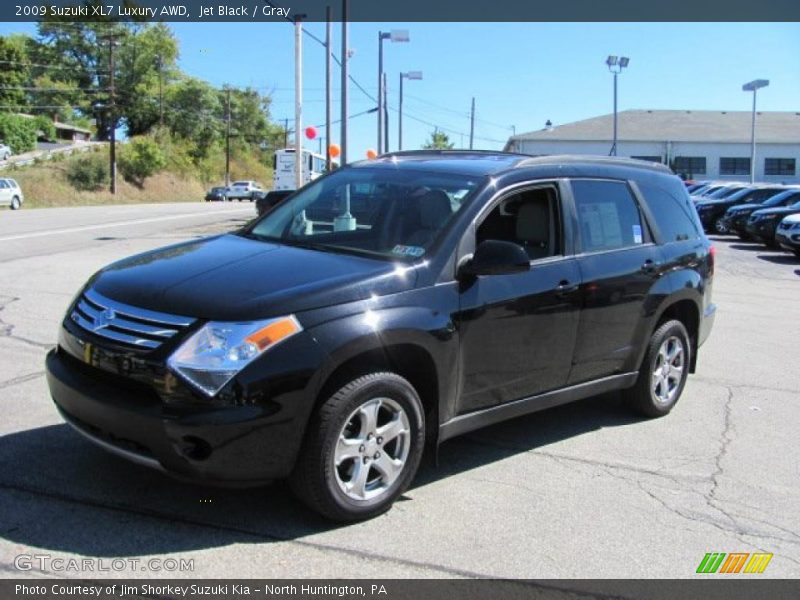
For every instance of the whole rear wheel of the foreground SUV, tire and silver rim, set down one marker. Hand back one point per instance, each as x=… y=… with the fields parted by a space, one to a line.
x=663 y=373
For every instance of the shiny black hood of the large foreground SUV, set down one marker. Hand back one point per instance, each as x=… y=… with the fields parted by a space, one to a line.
x=230 y=278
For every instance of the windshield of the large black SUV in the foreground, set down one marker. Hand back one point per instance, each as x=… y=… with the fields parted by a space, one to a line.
x=385 y=213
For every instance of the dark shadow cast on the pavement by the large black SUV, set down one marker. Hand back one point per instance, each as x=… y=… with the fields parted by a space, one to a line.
x=62 y=494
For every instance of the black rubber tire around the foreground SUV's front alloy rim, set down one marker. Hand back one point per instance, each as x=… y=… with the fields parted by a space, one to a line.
x=316 y=478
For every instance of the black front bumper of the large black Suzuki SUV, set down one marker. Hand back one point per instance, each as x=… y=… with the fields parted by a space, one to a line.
x=235 y=445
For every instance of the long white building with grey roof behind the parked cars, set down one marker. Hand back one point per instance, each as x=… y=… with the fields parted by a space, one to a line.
x=697 y=144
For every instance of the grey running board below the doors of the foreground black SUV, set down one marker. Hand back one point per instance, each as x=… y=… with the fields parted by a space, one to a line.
x=517 y=408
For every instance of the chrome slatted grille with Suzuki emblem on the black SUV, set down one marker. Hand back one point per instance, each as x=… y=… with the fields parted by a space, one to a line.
x=125 y=324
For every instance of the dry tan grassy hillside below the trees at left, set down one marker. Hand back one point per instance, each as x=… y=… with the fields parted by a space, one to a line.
x=45 y=183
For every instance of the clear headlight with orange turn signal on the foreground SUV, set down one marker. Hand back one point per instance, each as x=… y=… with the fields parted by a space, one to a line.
x=213 y=356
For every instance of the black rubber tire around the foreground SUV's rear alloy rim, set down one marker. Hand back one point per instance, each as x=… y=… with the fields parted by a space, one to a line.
x=642 y=397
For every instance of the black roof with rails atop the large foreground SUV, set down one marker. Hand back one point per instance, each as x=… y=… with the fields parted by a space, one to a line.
x=488 y=162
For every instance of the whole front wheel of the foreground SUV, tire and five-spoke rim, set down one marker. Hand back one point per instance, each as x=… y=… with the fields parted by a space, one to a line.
x=362 y=449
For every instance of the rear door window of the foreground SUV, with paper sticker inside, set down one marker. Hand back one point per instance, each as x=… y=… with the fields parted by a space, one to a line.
x=608 y=216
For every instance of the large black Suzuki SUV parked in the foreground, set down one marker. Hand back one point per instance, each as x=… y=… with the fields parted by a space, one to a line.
x=386 y=305
